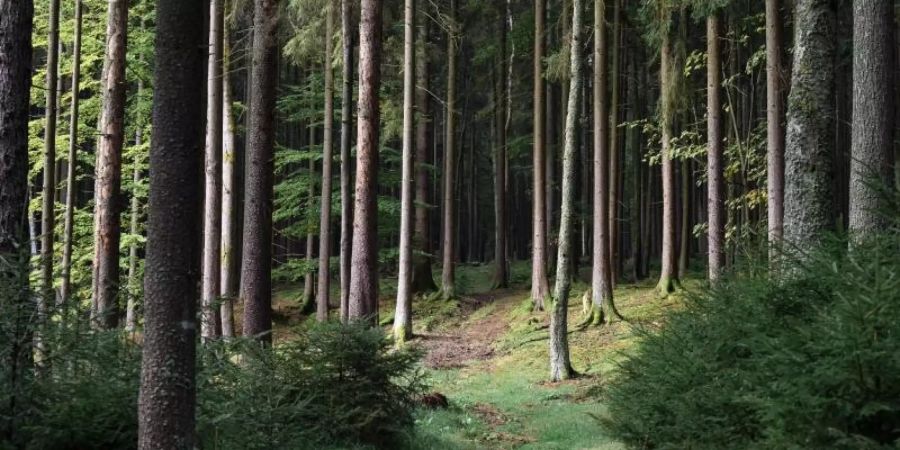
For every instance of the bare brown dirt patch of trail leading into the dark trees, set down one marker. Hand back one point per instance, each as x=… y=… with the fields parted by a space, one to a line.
x=473 y=340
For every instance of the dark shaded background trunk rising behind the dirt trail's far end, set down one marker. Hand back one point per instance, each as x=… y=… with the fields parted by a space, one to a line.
x=501 y=264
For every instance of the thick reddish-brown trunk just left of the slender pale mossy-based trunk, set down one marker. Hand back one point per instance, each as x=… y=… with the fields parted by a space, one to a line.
x=363 y=267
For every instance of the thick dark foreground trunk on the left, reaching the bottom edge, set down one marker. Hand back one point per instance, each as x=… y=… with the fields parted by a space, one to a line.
x=168 y=392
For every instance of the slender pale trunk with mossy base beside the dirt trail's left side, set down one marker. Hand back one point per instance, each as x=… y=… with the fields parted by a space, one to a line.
x=403 y=312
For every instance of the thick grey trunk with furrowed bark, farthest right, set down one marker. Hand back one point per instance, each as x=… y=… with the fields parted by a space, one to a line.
x=872 y=153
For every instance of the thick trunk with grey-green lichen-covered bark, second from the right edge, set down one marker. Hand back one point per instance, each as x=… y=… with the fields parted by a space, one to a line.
x=808 y=202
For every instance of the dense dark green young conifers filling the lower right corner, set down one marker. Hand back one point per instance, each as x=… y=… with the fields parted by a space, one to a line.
x=807 y=361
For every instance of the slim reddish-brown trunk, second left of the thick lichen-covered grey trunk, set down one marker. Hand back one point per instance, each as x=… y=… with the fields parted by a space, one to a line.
x=715 y=163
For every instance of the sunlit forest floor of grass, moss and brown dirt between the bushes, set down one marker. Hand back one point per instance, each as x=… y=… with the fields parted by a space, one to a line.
x=488 y=354
